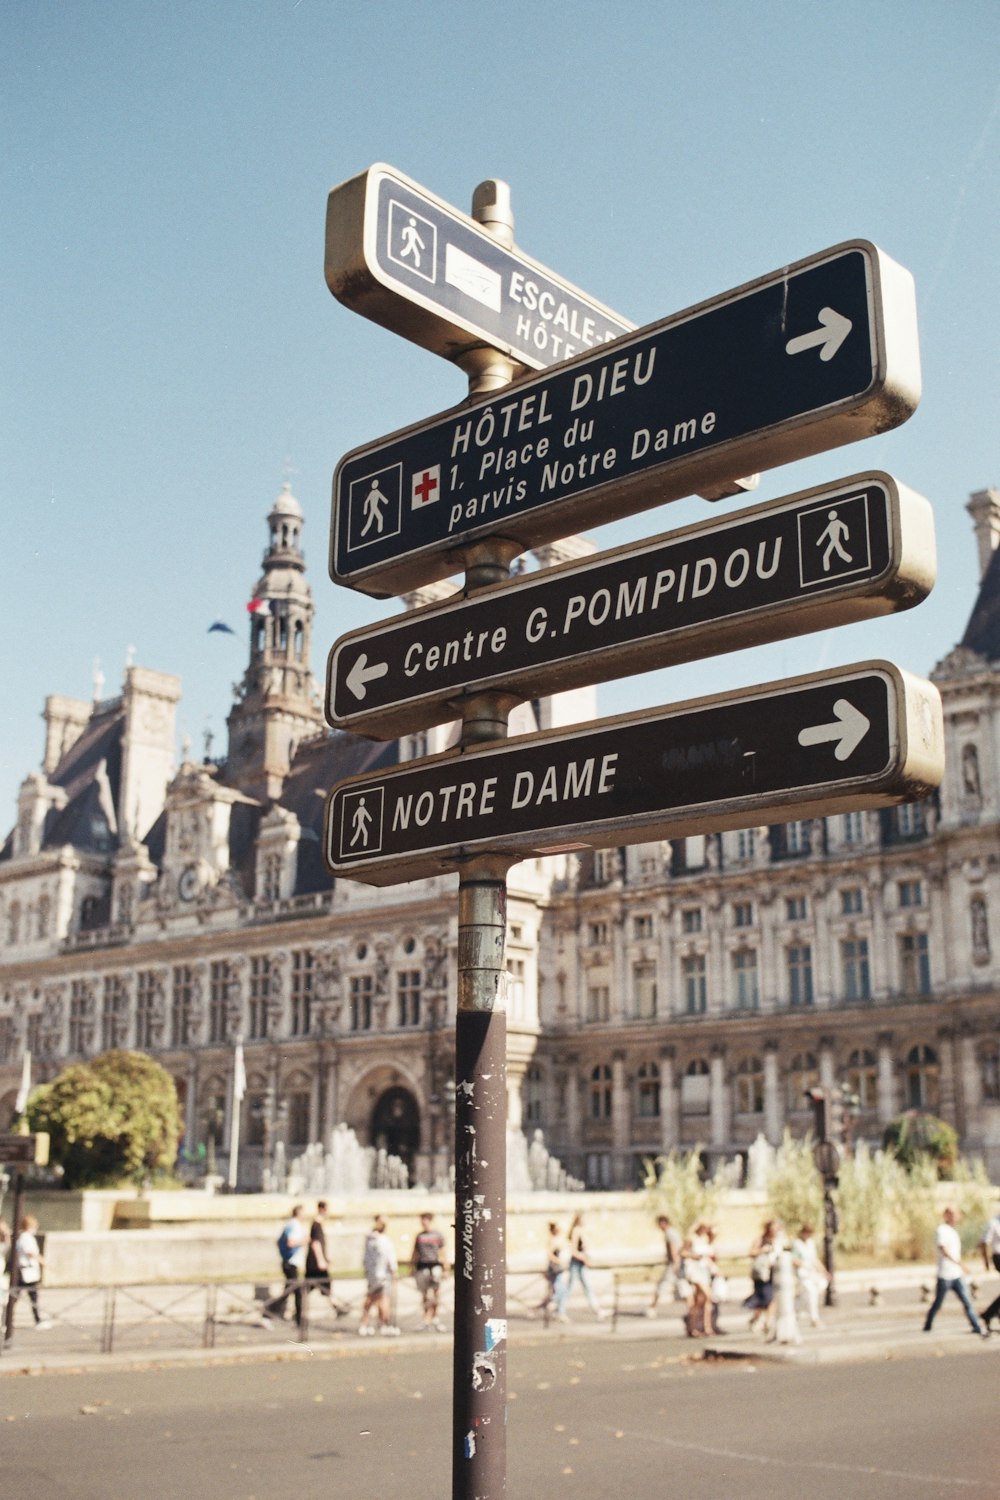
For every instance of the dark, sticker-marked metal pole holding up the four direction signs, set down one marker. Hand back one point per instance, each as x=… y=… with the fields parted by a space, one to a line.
x=479 y=1447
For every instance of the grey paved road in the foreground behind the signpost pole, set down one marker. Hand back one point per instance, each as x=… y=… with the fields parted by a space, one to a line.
x=590 y=1417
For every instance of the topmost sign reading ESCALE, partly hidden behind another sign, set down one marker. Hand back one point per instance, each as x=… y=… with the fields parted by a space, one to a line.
x=418 y=266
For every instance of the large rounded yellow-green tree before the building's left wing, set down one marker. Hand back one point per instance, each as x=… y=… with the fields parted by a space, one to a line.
x=112 y=1120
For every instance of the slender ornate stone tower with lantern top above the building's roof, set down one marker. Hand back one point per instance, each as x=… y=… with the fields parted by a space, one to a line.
x=278 y=701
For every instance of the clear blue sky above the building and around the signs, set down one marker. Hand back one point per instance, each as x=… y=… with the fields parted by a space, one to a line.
x=170 y=344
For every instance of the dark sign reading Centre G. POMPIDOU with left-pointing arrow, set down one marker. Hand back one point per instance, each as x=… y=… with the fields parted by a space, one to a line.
x=825 y=557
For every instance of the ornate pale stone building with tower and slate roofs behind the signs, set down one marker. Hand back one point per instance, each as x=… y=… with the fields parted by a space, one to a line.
x=660 y=995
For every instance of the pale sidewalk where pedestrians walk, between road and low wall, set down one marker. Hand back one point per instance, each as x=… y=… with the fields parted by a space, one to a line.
x=167 y=1327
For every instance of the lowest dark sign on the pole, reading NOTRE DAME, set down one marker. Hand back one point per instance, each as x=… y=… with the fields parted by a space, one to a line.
x=860 y=737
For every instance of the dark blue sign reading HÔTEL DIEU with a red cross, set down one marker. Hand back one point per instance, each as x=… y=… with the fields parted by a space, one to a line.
x=815 y=356
